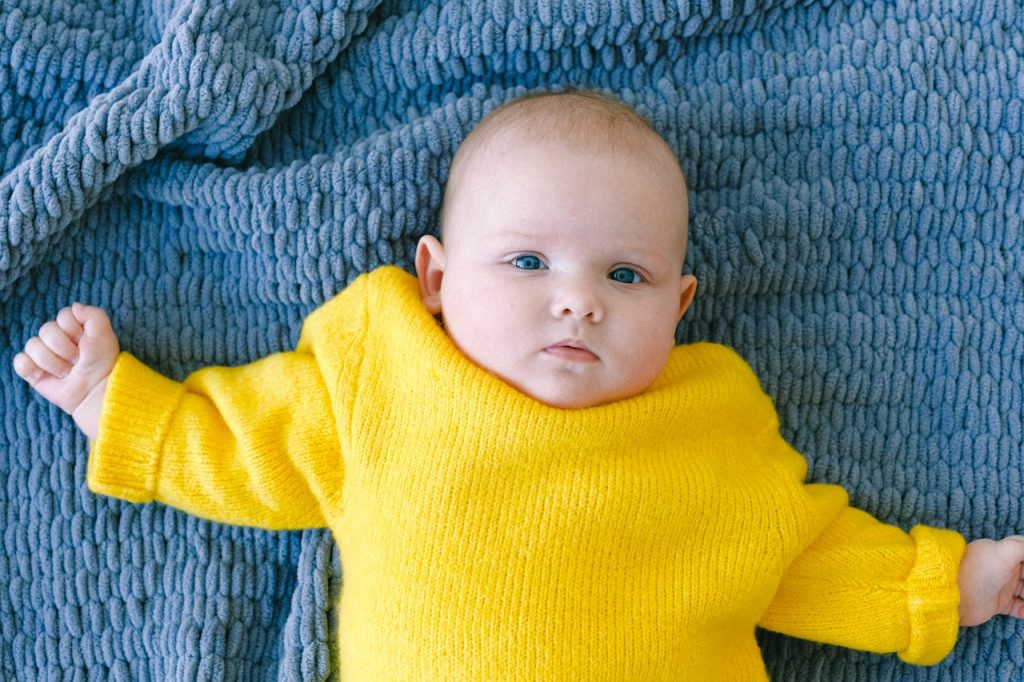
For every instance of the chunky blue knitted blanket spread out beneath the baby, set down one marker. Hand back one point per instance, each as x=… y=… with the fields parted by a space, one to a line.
x=210 y=173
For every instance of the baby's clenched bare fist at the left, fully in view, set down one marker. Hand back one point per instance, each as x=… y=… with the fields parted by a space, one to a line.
x=69 y=362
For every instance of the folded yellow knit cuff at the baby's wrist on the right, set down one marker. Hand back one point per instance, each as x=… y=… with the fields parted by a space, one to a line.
x=933 y=596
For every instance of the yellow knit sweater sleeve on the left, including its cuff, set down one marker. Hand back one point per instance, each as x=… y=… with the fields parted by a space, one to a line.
x=255 y=445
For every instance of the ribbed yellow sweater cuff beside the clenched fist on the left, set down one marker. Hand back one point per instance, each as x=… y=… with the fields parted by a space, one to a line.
x=137 y=412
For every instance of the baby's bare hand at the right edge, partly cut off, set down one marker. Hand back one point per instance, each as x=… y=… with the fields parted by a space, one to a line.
x=992 y=580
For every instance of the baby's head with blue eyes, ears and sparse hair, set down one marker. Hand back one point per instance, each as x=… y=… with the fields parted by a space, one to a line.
x=564 y=235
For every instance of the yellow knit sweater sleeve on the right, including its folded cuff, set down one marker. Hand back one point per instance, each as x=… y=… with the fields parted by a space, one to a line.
x=863 y=584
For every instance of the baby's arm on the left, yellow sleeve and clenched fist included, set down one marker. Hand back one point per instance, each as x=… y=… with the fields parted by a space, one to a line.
x=254 y=445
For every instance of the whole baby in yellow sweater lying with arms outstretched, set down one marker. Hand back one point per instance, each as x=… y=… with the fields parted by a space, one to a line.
x=543 y=486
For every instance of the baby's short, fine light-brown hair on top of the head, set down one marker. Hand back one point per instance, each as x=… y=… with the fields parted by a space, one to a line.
x=585 y=118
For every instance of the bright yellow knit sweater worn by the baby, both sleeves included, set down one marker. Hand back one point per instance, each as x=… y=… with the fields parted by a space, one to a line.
x=488 y=537
